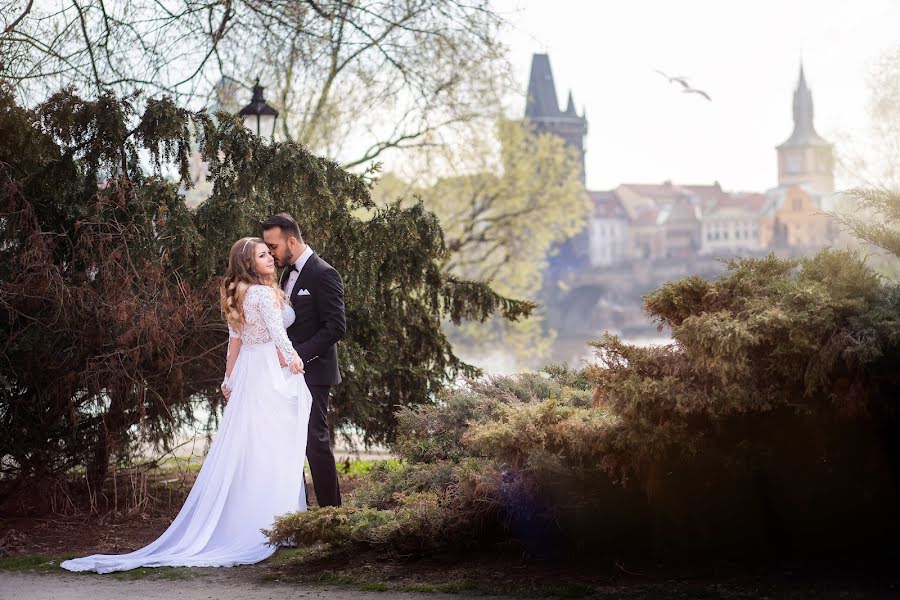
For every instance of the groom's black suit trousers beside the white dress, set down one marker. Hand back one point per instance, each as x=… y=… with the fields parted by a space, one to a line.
x=318 y=450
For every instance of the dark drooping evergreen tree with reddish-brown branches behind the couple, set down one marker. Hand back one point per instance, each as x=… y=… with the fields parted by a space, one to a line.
x=108 y=283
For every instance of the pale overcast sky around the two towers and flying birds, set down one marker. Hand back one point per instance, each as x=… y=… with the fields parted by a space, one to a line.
x=745 y=54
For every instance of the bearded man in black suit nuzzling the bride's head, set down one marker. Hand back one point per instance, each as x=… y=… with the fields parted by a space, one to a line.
x=317 y=295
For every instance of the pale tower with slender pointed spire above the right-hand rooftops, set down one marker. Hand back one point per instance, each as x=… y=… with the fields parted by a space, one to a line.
x=805 y=158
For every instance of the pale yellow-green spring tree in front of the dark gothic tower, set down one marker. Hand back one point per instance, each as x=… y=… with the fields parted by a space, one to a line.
x=501 y=220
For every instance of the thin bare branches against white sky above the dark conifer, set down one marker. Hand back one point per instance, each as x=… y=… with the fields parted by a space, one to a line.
x=351 y=80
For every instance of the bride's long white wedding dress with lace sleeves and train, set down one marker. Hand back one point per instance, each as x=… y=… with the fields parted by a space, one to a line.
x=253 y=471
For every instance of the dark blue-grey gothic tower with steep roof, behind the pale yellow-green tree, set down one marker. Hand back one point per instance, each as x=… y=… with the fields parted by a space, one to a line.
x=542 y=108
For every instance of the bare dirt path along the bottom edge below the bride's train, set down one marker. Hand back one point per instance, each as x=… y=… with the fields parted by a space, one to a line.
x=220 y=585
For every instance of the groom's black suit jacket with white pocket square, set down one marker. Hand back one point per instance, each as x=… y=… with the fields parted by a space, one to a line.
x=320 y=320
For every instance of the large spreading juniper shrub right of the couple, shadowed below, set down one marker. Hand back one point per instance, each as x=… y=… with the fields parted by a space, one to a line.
x=770 y=424
